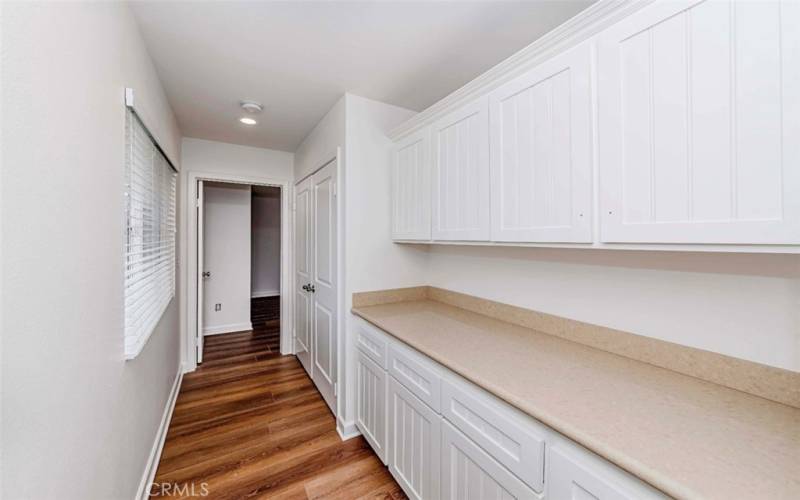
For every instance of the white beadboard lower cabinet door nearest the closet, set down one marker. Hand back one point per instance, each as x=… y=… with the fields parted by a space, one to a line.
x=371 y=404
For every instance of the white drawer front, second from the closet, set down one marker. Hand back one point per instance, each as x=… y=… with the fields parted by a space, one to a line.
x=417 y=373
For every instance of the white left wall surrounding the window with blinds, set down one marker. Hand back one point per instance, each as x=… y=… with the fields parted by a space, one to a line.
x=78 y=420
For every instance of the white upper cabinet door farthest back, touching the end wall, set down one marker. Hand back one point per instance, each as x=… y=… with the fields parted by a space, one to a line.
x=411 y=188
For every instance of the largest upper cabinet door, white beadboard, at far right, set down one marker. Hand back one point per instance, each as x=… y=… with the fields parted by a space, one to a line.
x=698 y=107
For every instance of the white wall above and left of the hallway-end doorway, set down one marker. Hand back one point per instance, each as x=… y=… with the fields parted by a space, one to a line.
x=218 y=158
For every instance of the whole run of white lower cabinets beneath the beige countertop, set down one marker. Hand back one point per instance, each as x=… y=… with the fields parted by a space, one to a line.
x=478 y=447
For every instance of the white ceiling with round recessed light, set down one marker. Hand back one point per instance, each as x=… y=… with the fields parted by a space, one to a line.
x=298 y=58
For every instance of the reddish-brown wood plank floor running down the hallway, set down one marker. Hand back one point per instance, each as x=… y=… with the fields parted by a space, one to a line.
x=249 y=423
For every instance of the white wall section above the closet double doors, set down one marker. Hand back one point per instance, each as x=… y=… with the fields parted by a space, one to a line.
x=320 y=145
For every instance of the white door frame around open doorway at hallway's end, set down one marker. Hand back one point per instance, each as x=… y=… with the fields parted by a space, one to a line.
x=190 y=286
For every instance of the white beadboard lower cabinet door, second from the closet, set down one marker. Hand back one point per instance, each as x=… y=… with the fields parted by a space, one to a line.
x=414 y=442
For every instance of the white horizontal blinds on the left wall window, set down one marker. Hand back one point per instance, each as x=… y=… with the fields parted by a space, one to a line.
x=150 y=235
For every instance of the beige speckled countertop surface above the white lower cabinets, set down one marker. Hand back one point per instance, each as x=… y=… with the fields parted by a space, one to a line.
x=686 y=437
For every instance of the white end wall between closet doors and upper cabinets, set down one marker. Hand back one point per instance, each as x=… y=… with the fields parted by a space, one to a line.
x=372 y=260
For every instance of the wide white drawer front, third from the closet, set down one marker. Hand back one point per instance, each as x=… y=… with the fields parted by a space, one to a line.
x=511 y=441
